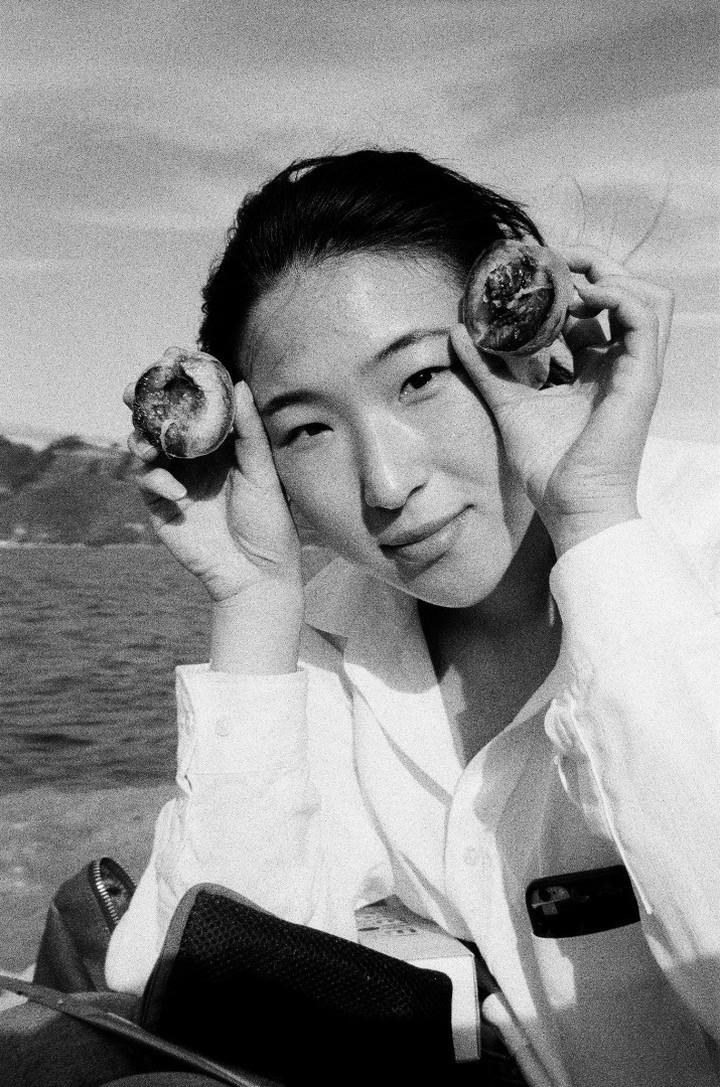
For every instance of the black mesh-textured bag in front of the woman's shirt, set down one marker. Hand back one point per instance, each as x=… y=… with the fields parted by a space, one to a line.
x=295 y=1004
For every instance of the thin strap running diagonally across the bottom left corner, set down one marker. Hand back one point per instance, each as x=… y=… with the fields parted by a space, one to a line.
x=113 y=1023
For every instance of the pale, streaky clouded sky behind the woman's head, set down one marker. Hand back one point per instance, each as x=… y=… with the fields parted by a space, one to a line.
x=131 y=132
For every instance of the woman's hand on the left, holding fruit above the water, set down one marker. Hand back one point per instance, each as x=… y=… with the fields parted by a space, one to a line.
x=224 y=517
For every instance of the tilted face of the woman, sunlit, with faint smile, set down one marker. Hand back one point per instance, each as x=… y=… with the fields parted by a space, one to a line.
x=386 y=449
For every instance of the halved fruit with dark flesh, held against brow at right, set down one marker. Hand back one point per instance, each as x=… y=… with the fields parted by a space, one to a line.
x=516 y=298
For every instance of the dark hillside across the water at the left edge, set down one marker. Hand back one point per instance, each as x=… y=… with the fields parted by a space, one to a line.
x=72 y=492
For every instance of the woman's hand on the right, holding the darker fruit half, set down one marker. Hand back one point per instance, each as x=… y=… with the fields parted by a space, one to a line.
x=578 y=448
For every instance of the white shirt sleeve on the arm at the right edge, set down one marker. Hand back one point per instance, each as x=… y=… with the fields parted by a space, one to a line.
x=638 y=731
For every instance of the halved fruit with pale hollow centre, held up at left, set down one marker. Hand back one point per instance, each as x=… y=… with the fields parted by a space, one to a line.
x=184 y=404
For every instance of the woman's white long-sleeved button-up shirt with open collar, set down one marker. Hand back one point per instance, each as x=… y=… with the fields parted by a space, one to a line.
x=316 y=793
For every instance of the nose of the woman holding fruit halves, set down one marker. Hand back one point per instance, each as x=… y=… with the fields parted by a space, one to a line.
x=392 y=465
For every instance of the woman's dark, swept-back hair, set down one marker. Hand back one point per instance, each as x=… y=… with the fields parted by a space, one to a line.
x=365 y=202
